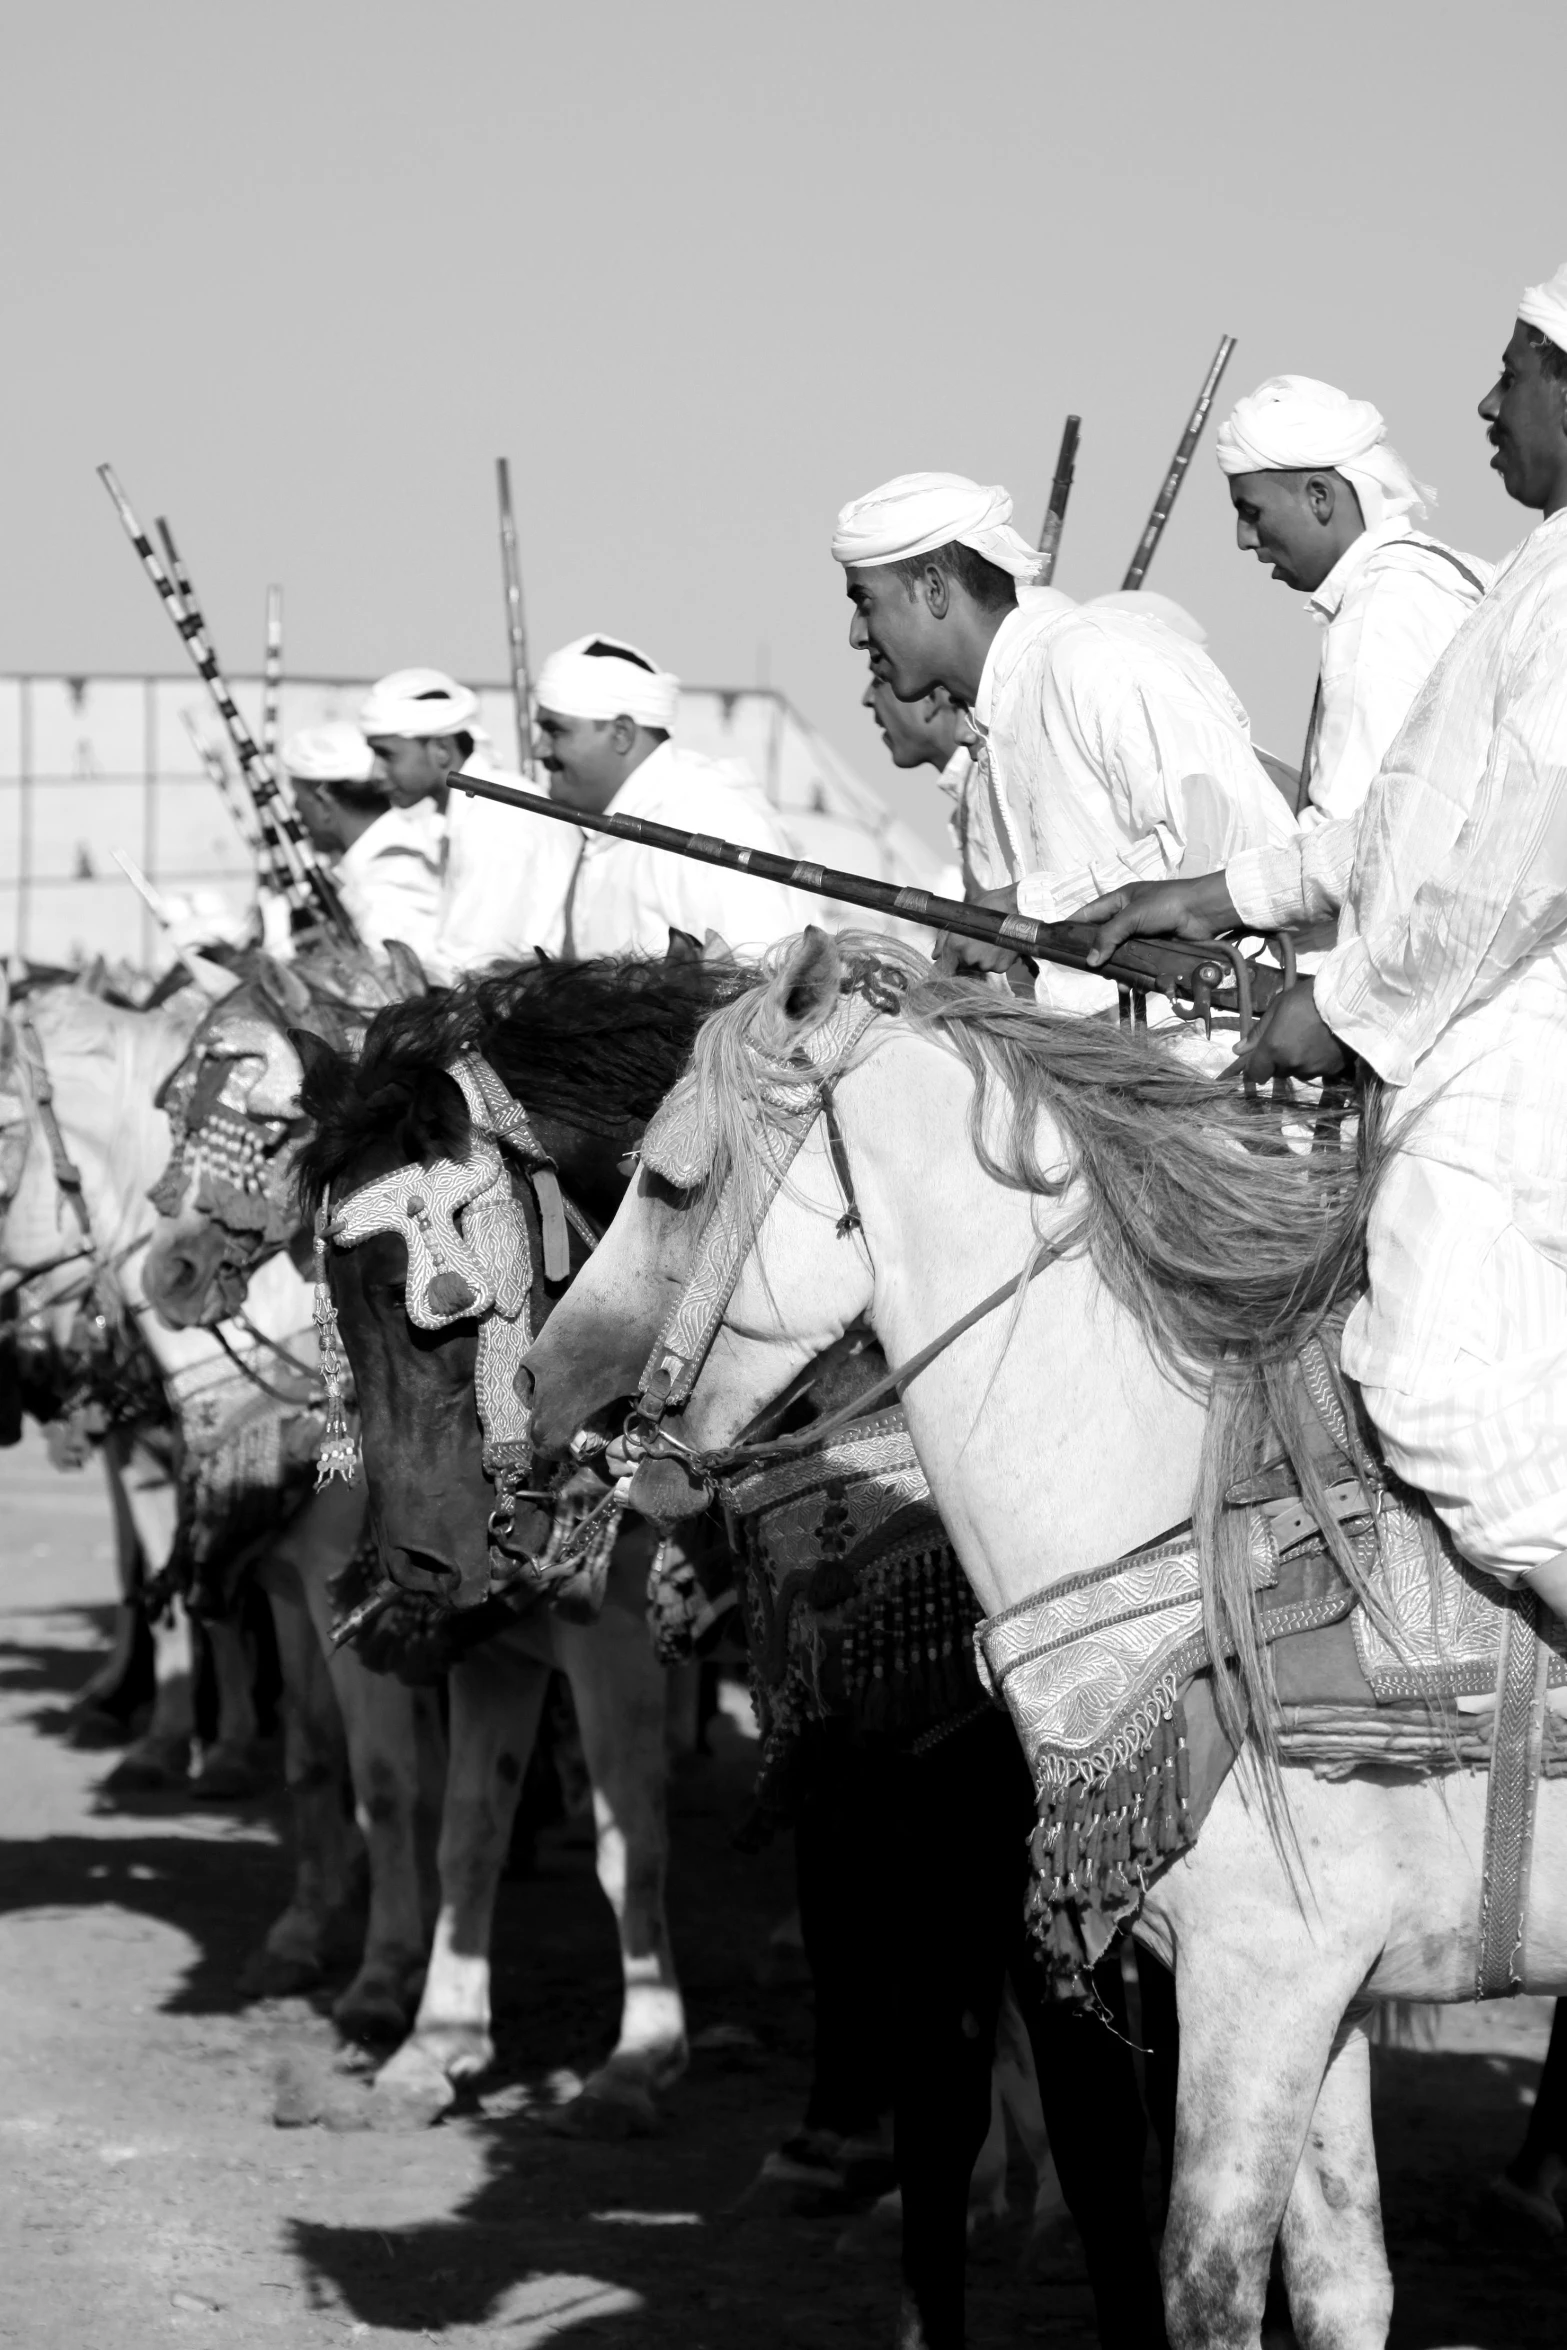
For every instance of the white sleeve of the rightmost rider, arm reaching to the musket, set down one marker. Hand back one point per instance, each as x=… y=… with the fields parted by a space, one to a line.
x=1455 y=899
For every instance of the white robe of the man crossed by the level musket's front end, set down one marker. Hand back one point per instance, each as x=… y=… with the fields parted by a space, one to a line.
x=626 y=899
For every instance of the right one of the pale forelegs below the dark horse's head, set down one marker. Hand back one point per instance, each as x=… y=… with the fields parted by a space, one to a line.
x=619 y=1693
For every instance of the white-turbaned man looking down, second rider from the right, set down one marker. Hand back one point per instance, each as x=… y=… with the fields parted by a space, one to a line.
x=1326 y=504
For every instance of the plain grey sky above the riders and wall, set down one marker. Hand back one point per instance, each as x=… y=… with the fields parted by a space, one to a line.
x=706 y=271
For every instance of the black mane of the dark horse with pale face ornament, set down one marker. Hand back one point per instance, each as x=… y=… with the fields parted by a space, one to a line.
x=593 y=1047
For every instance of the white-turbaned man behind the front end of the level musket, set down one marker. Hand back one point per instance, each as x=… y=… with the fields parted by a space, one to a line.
x=605 y=716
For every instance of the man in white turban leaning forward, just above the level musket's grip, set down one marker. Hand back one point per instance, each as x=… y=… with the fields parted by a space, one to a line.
x=1108 y=746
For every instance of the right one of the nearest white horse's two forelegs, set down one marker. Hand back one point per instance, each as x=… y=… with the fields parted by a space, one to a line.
x=1336 y=2260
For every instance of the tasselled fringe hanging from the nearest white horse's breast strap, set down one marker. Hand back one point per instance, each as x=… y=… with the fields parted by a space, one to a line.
x=1101 y=1844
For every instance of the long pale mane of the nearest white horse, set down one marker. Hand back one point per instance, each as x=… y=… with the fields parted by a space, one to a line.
x=1228 y=1244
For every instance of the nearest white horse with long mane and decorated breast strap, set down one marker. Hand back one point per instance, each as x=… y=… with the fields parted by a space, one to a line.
x=1058 y=1435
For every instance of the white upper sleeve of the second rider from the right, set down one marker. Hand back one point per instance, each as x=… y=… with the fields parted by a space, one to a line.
x=1404 y=624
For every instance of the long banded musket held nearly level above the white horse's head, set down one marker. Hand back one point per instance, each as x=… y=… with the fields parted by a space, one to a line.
x=1145 y=967
